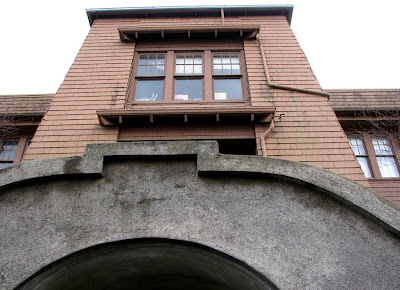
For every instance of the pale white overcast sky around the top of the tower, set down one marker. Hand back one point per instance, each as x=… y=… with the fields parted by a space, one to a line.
x=349 y=44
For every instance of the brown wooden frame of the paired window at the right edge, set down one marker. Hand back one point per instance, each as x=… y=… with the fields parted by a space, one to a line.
x=372 y=156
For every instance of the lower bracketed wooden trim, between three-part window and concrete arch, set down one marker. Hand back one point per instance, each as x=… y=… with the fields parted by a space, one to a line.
x=113 y=117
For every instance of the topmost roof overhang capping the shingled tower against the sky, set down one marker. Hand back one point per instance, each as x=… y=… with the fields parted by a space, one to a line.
x=190 y=11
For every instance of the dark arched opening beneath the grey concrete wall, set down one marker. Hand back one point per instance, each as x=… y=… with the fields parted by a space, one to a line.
x=146 y=264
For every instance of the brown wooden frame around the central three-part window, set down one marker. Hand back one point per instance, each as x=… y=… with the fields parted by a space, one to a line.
x=170 y=50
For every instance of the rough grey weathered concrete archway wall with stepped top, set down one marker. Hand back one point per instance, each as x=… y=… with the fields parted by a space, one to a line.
x=299 y=226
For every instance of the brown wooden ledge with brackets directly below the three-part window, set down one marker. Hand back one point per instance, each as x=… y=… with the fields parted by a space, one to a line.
x=257 y=115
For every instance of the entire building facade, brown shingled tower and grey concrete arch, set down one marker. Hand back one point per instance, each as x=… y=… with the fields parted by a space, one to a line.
x=166 y=77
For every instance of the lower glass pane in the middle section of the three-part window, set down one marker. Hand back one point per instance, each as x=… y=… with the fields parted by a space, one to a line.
x=188 y=89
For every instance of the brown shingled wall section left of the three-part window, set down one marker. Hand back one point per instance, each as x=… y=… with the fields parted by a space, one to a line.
x=96 y=80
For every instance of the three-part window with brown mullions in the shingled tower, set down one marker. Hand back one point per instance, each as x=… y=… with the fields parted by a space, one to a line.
x=188 y=76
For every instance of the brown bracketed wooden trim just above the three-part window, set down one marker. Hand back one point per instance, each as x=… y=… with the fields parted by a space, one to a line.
x=130 y=33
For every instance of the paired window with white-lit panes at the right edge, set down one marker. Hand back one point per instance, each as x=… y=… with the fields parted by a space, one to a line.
x=375 y=156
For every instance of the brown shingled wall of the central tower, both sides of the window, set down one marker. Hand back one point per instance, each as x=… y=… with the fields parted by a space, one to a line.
x=308 y=130
